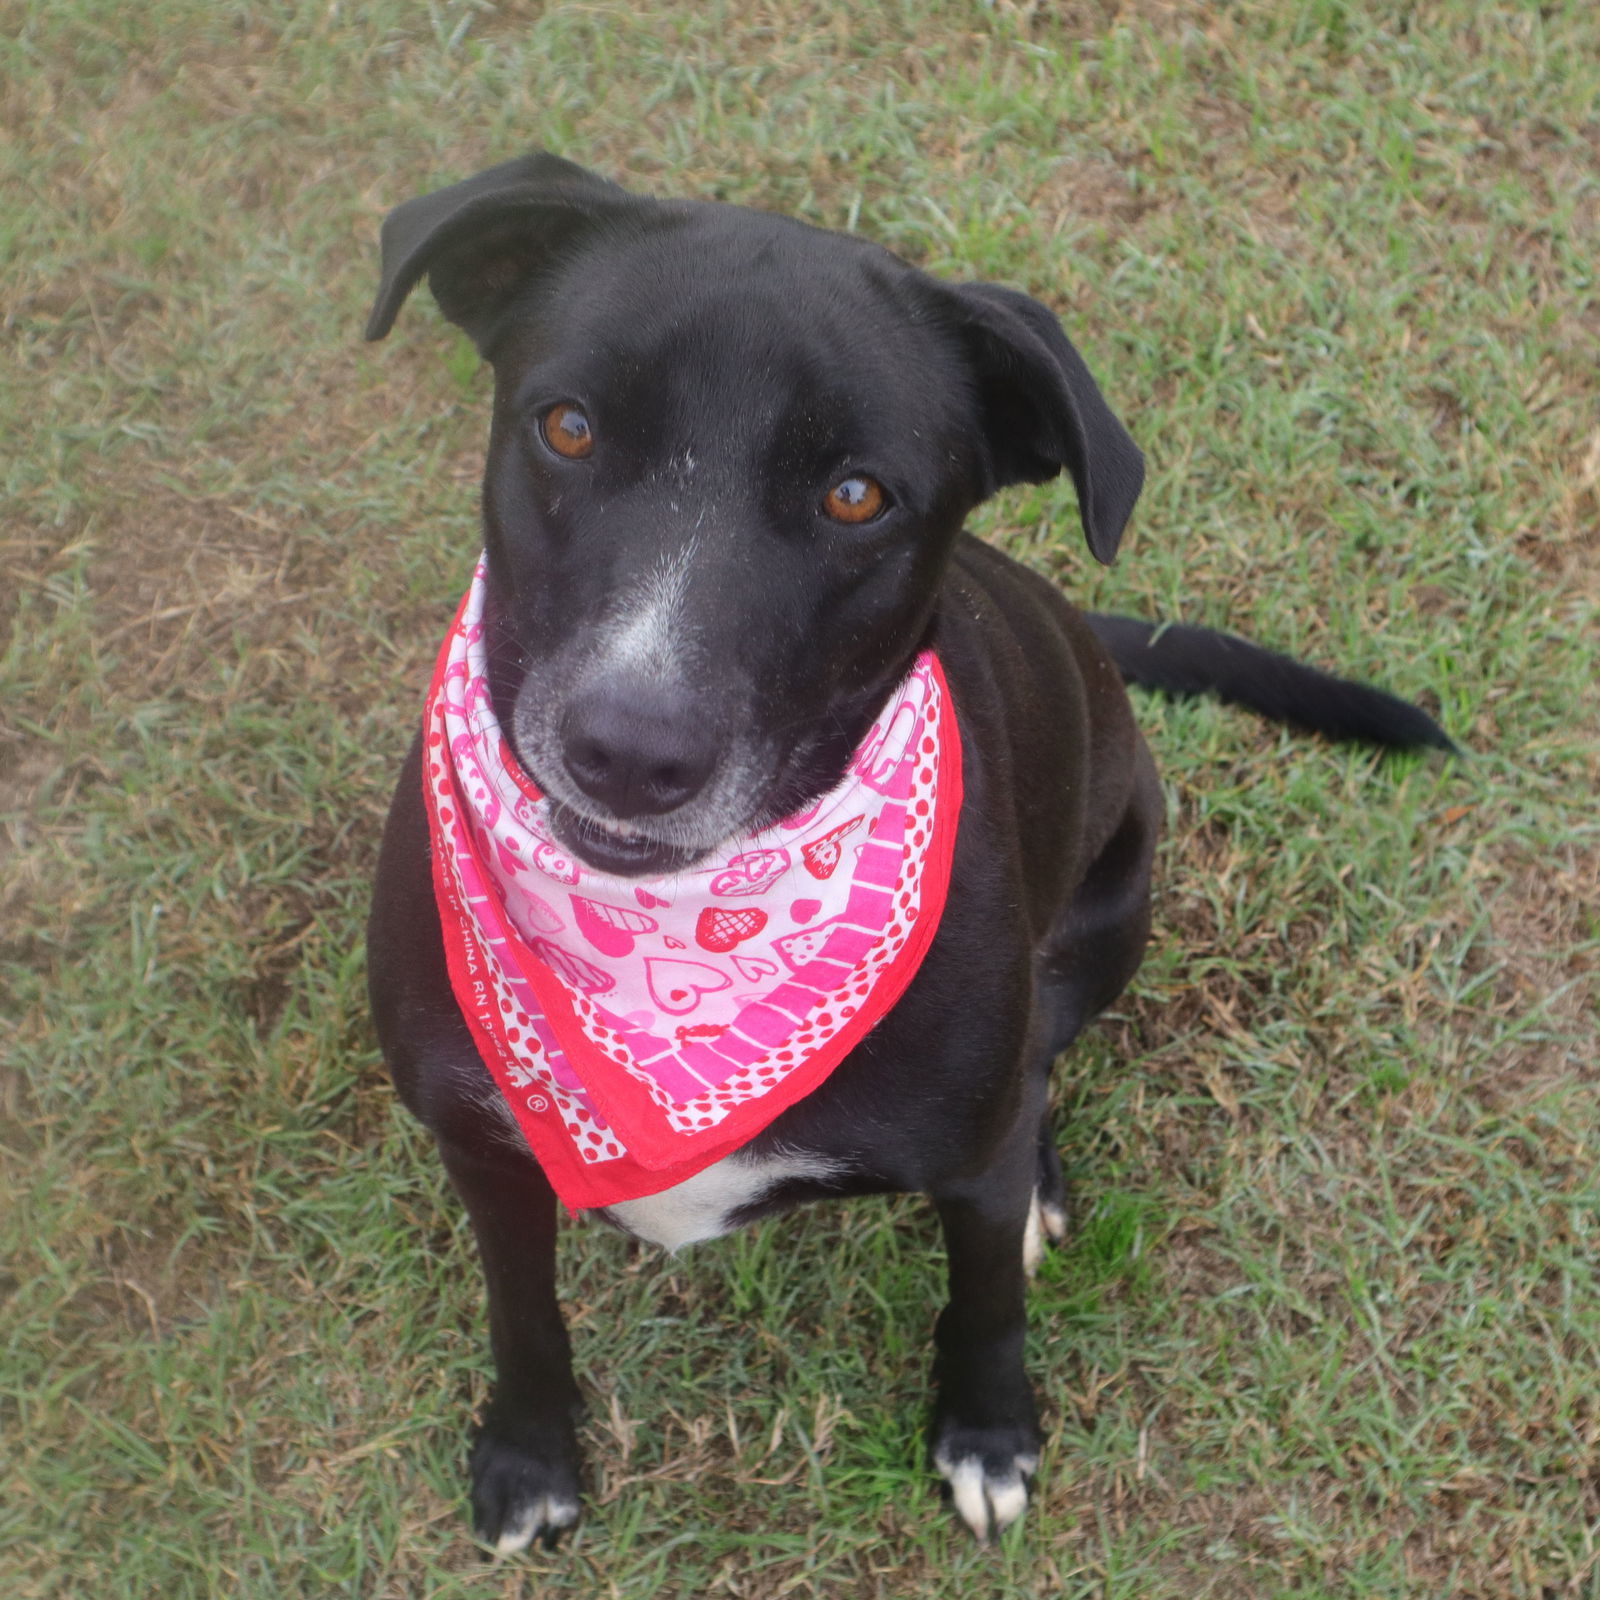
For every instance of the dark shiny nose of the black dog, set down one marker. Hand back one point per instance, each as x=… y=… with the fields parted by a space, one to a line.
x=639 y=753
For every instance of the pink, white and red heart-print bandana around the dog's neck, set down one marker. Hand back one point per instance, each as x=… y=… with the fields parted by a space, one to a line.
x=646 y=1028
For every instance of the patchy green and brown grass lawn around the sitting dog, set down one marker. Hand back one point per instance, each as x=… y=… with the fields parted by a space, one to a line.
x=1329 y=1322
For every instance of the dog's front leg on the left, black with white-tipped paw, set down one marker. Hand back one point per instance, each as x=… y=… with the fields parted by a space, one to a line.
x=526 y=1465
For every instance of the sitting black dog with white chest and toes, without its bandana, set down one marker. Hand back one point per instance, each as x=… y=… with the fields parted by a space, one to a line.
x=727 y=476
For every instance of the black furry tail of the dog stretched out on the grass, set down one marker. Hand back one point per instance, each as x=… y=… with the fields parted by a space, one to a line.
x=1182 y=660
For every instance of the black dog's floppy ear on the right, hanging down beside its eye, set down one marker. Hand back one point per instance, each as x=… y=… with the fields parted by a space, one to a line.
x=1044 y=412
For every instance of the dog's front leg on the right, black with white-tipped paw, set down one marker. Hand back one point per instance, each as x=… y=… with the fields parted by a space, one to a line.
x=986 y=1425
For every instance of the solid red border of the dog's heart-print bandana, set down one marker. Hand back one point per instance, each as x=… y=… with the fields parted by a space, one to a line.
x=583 y=1186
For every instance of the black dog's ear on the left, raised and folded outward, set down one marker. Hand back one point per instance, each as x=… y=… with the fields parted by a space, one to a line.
x=478 y=241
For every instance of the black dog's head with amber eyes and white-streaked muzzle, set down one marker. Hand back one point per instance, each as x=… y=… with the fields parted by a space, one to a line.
x=729 y=462
